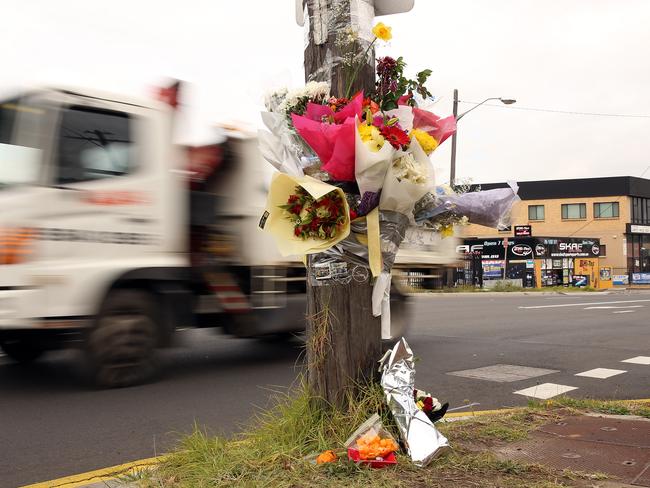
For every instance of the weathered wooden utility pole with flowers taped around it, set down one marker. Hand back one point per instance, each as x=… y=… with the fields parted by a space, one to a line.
x=343 y=337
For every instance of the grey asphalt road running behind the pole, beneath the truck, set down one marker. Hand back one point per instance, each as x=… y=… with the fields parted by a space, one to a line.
x=53 y=425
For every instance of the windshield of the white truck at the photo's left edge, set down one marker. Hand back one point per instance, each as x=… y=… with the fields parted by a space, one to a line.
x=20 y=155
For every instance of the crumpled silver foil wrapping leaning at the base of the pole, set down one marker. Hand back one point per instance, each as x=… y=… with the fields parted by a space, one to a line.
x=422 y=440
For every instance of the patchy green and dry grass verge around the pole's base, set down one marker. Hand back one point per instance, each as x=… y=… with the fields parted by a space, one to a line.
x=275 y=449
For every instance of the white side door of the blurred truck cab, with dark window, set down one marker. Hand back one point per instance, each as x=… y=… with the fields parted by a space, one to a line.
x=103 y=212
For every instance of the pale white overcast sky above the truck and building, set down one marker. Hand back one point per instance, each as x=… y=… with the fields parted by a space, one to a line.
x=568 y=55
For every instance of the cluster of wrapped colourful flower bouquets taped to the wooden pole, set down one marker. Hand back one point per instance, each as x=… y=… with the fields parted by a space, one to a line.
x=372 y=148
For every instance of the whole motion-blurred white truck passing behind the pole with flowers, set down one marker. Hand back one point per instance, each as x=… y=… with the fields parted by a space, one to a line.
x=112 y=237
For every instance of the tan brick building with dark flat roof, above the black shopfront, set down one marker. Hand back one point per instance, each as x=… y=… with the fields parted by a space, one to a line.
x=615 y=210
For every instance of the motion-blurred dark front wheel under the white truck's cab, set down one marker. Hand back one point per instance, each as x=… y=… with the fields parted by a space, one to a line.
x=121 y=347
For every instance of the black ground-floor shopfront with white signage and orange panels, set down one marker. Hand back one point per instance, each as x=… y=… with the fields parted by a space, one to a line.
x=535 y=262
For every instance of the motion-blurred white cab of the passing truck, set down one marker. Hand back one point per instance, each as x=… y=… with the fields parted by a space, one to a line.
x=91 y=191
